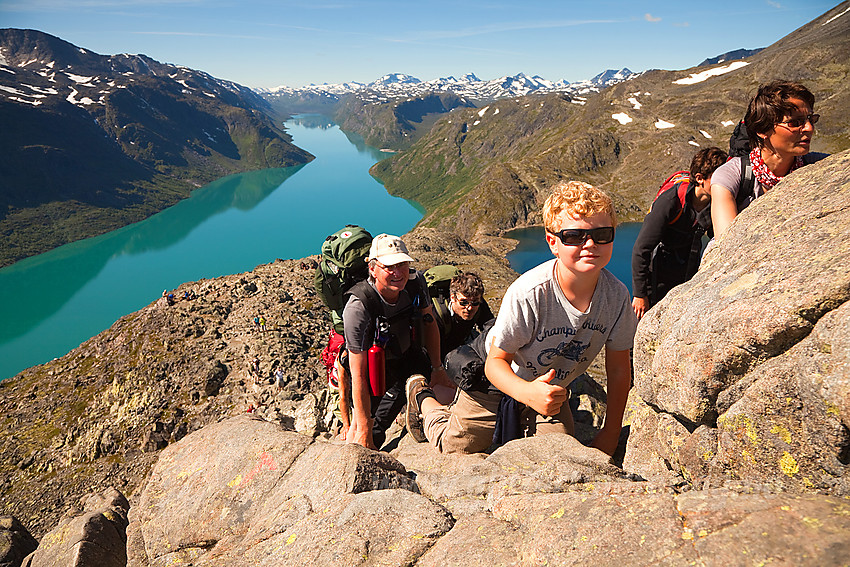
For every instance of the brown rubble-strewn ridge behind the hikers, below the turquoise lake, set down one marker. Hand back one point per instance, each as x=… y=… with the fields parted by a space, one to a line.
x=98 y=416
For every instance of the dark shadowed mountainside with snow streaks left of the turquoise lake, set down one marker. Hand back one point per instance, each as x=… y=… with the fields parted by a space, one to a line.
x=91 y=142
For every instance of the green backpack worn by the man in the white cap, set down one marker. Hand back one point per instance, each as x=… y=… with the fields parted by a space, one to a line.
x=343 y=264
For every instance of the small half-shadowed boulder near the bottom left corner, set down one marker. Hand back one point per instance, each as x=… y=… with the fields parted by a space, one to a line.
x=94 y=536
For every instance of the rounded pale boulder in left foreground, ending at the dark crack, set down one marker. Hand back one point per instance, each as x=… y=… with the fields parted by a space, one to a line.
x=245 y=491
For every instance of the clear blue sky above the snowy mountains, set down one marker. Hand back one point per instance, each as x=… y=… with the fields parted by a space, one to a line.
x=265 y=43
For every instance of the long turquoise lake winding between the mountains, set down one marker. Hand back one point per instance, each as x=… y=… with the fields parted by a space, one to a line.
x=51 y=303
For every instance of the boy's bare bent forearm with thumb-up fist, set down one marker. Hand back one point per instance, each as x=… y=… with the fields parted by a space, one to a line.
x=539 y=395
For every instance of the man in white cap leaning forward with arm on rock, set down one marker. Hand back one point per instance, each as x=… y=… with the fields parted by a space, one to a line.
x=395 y=303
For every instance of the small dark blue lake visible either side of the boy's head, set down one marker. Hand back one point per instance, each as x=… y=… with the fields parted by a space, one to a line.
x=533 y=250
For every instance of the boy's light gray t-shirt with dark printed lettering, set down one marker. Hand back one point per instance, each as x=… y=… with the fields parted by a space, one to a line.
x=543 y=330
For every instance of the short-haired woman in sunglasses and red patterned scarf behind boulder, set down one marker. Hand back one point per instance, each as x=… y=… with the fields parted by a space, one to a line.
x=780 y=123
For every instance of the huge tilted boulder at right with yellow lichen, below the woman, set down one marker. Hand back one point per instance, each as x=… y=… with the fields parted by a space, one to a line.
x=744 y=372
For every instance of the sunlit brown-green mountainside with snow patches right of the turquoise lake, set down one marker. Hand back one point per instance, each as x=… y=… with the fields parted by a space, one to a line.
x=483 y=171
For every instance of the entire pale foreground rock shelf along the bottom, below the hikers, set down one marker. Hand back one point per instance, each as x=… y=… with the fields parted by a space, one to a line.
x=246 y=492
